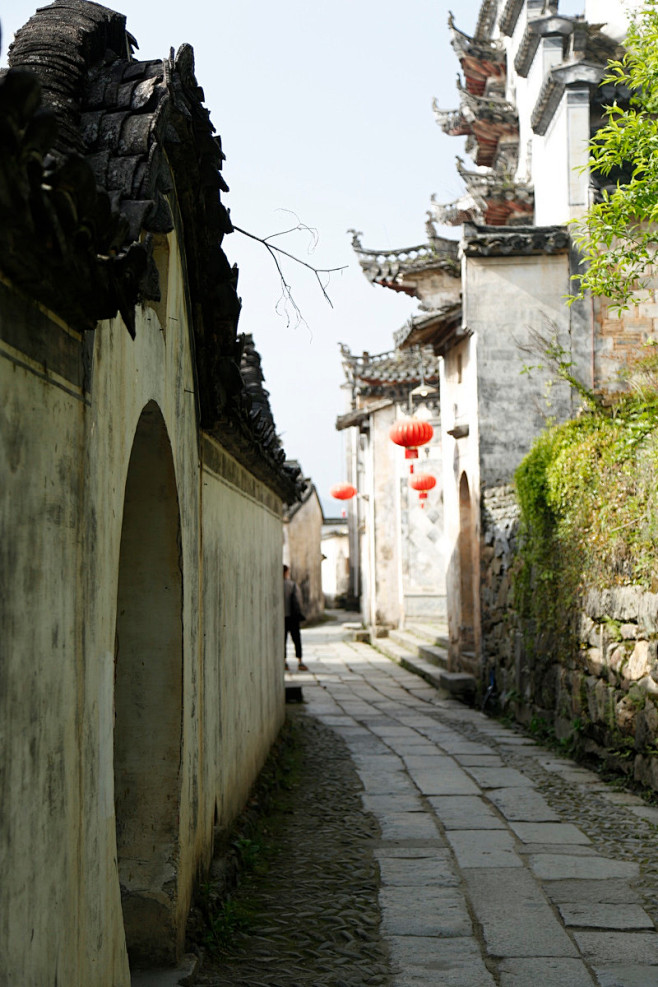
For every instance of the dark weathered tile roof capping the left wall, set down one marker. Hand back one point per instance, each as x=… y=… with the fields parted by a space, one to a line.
x=127 y=134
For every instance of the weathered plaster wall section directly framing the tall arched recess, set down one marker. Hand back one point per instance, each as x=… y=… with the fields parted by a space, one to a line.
x=127 y=374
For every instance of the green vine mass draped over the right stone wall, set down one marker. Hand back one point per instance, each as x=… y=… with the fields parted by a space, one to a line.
x=588 y=494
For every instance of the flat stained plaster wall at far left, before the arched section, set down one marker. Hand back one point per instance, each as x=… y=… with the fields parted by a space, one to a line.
x=41 y=828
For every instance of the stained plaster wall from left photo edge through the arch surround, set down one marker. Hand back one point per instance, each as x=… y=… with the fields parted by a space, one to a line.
x=62 y=904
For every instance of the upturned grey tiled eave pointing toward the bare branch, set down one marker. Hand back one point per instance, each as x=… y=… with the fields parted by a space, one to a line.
x=389 y=267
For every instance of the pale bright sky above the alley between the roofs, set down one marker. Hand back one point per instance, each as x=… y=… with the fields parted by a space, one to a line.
x=325 y=115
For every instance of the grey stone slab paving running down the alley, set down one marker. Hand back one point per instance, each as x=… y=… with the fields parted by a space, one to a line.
x=500 y=863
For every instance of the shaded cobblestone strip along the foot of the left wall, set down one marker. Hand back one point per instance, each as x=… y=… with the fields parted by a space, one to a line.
x=317 y=915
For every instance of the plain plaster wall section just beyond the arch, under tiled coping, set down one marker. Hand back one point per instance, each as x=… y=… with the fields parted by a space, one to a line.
x=243 y=632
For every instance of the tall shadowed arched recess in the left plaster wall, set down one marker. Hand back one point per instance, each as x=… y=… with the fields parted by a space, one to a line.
x=149 y=697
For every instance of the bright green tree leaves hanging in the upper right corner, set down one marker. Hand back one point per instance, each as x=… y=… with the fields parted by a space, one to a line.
x=618 y=236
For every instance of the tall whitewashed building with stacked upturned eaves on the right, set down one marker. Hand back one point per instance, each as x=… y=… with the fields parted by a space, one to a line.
x=528 y=99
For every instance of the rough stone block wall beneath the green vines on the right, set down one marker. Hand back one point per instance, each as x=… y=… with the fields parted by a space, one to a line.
x=604 y=695
